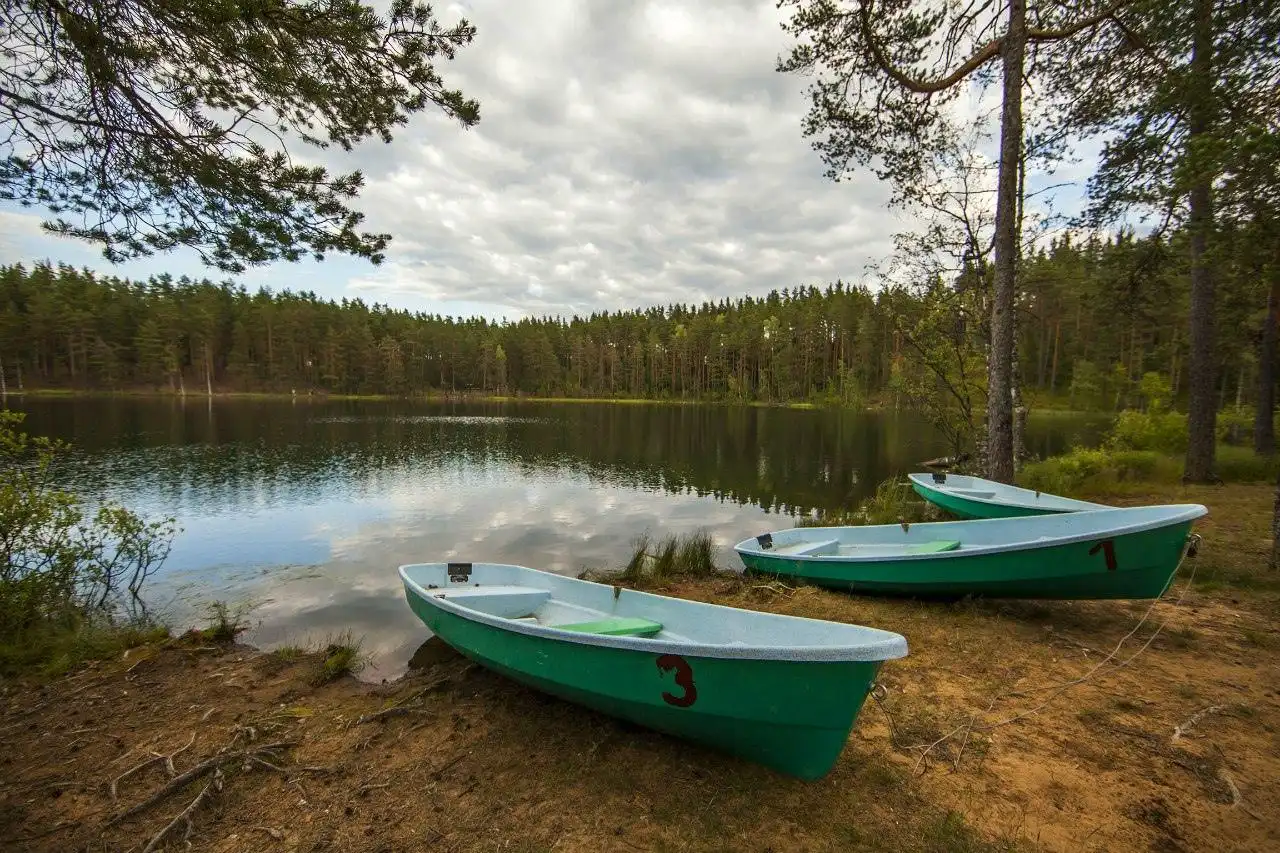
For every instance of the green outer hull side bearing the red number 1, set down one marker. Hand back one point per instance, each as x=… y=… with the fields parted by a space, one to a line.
x=1130 y=565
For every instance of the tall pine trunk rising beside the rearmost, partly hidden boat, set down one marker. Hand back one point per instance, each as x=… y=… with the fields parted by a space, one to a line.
x=1000 y=368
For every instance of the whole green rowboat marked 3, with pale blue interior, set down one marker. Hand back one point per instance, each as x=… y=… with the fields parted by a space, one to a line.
x=780 y=691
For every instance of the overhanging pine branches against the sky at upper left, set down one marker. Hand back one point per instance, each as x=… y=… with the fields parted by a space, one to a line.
x=149 y=126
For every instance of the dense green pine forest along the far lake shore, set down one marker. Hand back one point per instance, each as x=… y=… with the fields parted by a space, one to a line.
x=1095 y=316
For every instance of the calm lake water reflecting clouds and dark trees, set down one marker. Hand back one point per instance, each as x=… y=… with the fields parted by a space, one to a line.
x=307 y=509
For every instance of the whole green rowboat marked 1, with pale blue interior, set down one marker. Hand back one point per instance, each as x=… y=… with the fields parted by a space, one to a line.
x=1100 y=554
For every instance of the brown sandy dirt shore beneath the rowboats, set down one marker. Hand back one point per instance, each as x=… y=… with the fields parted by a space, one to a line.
x=979 y=741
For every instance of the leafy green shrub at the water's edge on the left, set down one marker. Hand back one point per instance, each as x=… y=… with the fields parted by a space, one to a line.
x=62 y=567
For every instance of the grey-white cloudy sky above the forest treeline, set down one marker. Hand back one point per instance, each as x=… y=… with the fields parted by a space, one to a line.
x=629 y=153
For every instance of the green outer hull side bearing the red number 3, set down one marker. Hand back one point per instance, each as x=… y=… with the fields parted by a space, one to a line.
x=793 y=717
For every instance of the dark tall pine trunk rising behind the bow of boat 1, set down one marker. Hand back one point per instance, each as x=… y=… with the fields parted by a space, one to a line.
x=1201 y=410
